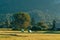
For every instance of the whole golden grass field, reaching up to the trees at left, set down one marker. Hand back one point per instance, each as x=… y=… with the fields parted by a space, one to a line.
x=27 y=36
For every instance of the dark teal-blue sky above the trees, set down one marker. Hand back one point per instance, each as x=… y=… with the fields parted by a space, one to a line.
x=51 y=7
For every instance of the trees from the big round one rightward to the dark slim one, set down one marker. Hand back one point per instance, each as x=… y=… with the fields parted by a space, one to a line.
x=24 y=21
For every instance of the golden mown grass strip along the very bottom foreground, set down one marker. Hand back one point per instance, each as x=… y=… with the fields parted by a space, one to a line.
x=31 y=37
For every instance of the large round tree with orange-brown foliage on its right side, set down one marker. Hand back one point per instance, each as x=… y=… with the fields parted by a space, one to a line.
x=22 y=20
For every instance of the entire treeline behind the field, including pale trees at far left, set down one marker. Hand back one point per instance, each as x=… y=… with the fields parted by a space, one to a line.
x=23 y=21
